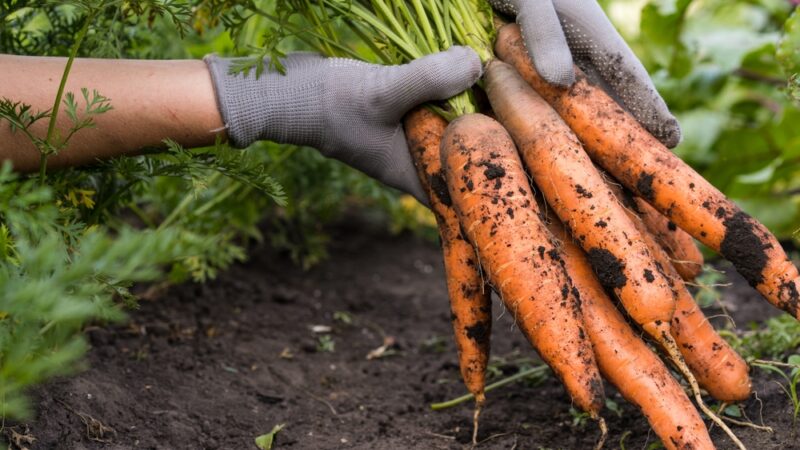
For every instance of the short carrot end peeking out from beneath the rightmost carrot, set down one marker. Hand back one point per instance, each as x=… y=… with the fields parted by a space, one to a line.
x=680 y=247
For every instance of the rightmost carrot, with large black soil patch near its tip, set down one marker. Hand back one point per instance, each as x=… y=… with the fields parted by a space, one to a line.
x=617 y=142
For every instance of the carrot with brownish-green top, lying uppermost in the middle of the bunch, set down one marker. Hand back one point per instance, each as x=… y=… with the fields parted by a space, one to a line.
x=579 y=196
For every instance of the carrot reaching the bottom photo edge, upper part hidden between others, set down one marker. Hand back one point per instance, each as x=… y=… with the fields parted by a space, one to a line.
x=627 y=362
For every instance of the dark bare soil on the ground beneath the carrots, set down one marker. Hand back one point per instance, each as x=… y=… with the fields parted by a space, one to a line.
x=212 y=366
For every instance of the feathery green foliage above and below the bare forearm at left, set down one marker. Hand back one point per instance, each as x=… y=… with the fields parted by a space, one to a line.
x=73 y=242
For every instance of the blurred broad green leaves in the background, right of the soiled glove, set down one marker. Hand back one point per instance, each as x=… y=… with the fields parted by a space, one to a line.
x=725 y=69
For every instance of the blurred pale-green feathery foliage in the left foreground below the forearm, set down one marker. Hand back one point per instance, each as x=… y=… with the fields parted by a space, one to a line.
x=55 y=277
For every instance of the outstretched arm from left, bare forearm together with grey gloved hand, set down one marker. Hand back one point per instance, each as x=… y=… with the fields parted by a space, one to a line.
x=349 y=110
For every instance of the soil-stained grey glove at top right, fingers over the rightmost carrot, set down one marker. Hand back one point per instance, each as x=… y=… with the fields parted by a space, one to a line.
x=557 y=31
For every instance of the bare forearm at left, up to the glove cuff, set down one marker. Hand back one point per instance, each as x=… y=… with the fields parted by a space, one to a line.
x=152 y=101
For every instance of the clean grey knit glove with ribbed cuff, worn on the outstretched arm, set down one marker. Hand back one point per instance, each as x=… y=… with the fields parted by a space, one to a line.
x=347 y=109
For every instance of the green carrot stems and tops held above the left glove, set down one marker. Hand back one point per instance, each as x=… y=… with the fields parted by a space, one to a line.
x=384 y=31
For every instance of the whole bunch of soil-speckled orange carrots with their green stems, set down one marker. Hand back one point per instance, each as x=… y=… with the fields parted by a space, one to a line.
x=561 y=203
